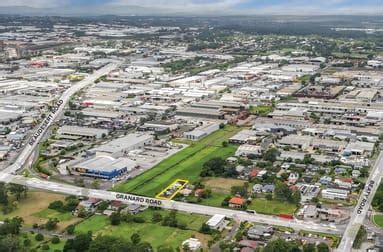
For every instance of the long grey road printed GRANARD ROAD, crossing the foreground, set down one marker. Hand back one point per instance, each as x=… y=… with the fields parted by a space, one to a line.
x=167 y=204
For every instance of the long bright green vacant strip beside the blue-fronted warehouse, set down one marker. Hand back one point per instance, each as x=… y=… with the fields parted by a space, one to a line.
x=186 y=164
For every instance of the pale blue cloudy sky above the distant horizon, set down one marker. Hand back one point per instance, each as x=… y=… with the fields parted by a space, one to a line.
x=215 y=7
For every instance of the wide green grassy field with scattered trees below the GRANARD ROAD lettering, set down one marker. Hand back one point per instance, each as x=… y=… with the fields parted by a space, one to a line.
x=153 y=233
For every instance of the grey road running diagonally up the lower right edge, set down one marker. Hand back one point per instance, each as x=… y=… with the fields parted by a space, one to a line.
x=364 y=202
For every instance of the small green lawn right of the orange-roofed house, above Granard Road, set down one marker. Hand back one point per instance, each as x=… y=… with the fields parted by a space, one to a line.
x=272 y=207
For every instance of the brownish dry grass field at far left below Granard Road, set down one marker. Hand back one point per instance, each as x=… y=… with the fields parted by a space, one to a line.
x=34 y=209
